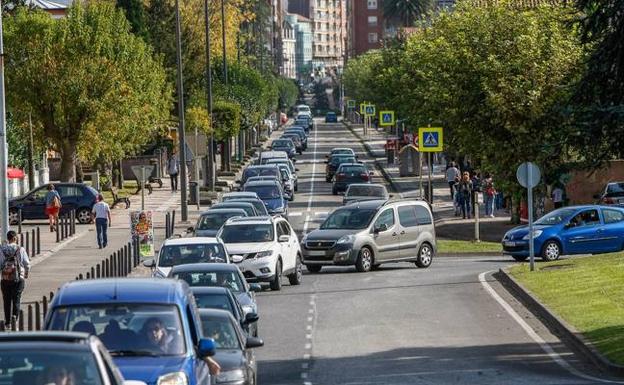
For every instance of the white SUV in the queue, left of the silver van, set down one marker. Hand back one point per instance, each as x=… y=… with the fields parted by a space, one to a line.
x=264 y=248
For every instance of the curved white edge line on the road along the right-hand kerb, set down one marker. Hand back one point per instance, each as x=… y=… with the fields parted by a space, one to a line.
x=535 y=337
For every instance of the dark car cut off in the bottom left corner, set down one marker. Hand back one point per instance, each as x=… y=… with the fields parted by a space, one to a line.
x=42 y=357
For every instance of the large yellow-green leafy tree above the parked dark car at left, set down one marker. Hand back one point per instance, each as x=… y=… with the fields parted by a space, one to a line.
x=94 y=89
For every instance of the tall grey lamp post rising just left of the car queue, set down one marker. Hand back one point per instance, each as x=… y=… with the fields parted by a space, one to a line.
x=181 y=126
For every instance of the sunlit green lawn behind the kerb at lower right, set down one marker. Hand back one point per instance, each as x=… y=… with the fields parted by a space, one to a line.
x=587 y=292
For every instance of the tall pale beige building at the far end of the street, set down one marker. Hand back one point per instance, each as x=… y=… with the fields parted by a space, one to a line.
x=328 y=18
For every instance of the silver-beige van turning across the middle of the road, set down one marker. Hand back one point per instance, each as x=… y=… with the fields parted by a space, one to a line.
x=367 y=234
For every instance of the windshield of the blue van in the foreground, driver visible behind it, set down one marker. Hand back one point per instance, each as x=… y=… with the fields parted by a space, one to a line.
x=126 y=329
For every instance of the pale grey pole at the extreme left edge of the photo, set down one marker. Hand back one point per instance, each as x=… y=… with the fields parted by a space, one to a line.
x=4 y=191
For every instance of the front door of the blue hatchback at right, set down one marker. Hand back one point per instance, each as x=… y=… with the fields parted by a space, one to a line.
x=581 y=235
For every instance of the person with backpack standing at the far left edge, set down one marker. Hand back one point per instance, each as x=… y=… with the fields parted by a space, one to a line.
x=15 y=266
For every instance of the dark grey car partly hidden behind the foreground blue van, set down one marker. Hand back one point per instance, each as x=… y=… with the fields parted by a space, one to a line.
x=234 y=351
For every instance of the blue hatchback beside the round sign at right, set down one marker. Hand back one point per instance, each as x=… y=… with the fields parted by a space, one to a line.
x=590 y=229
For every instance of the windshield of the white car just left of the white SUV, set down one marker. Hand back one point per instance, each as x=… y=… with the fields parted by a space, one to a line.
x=173 y=255
